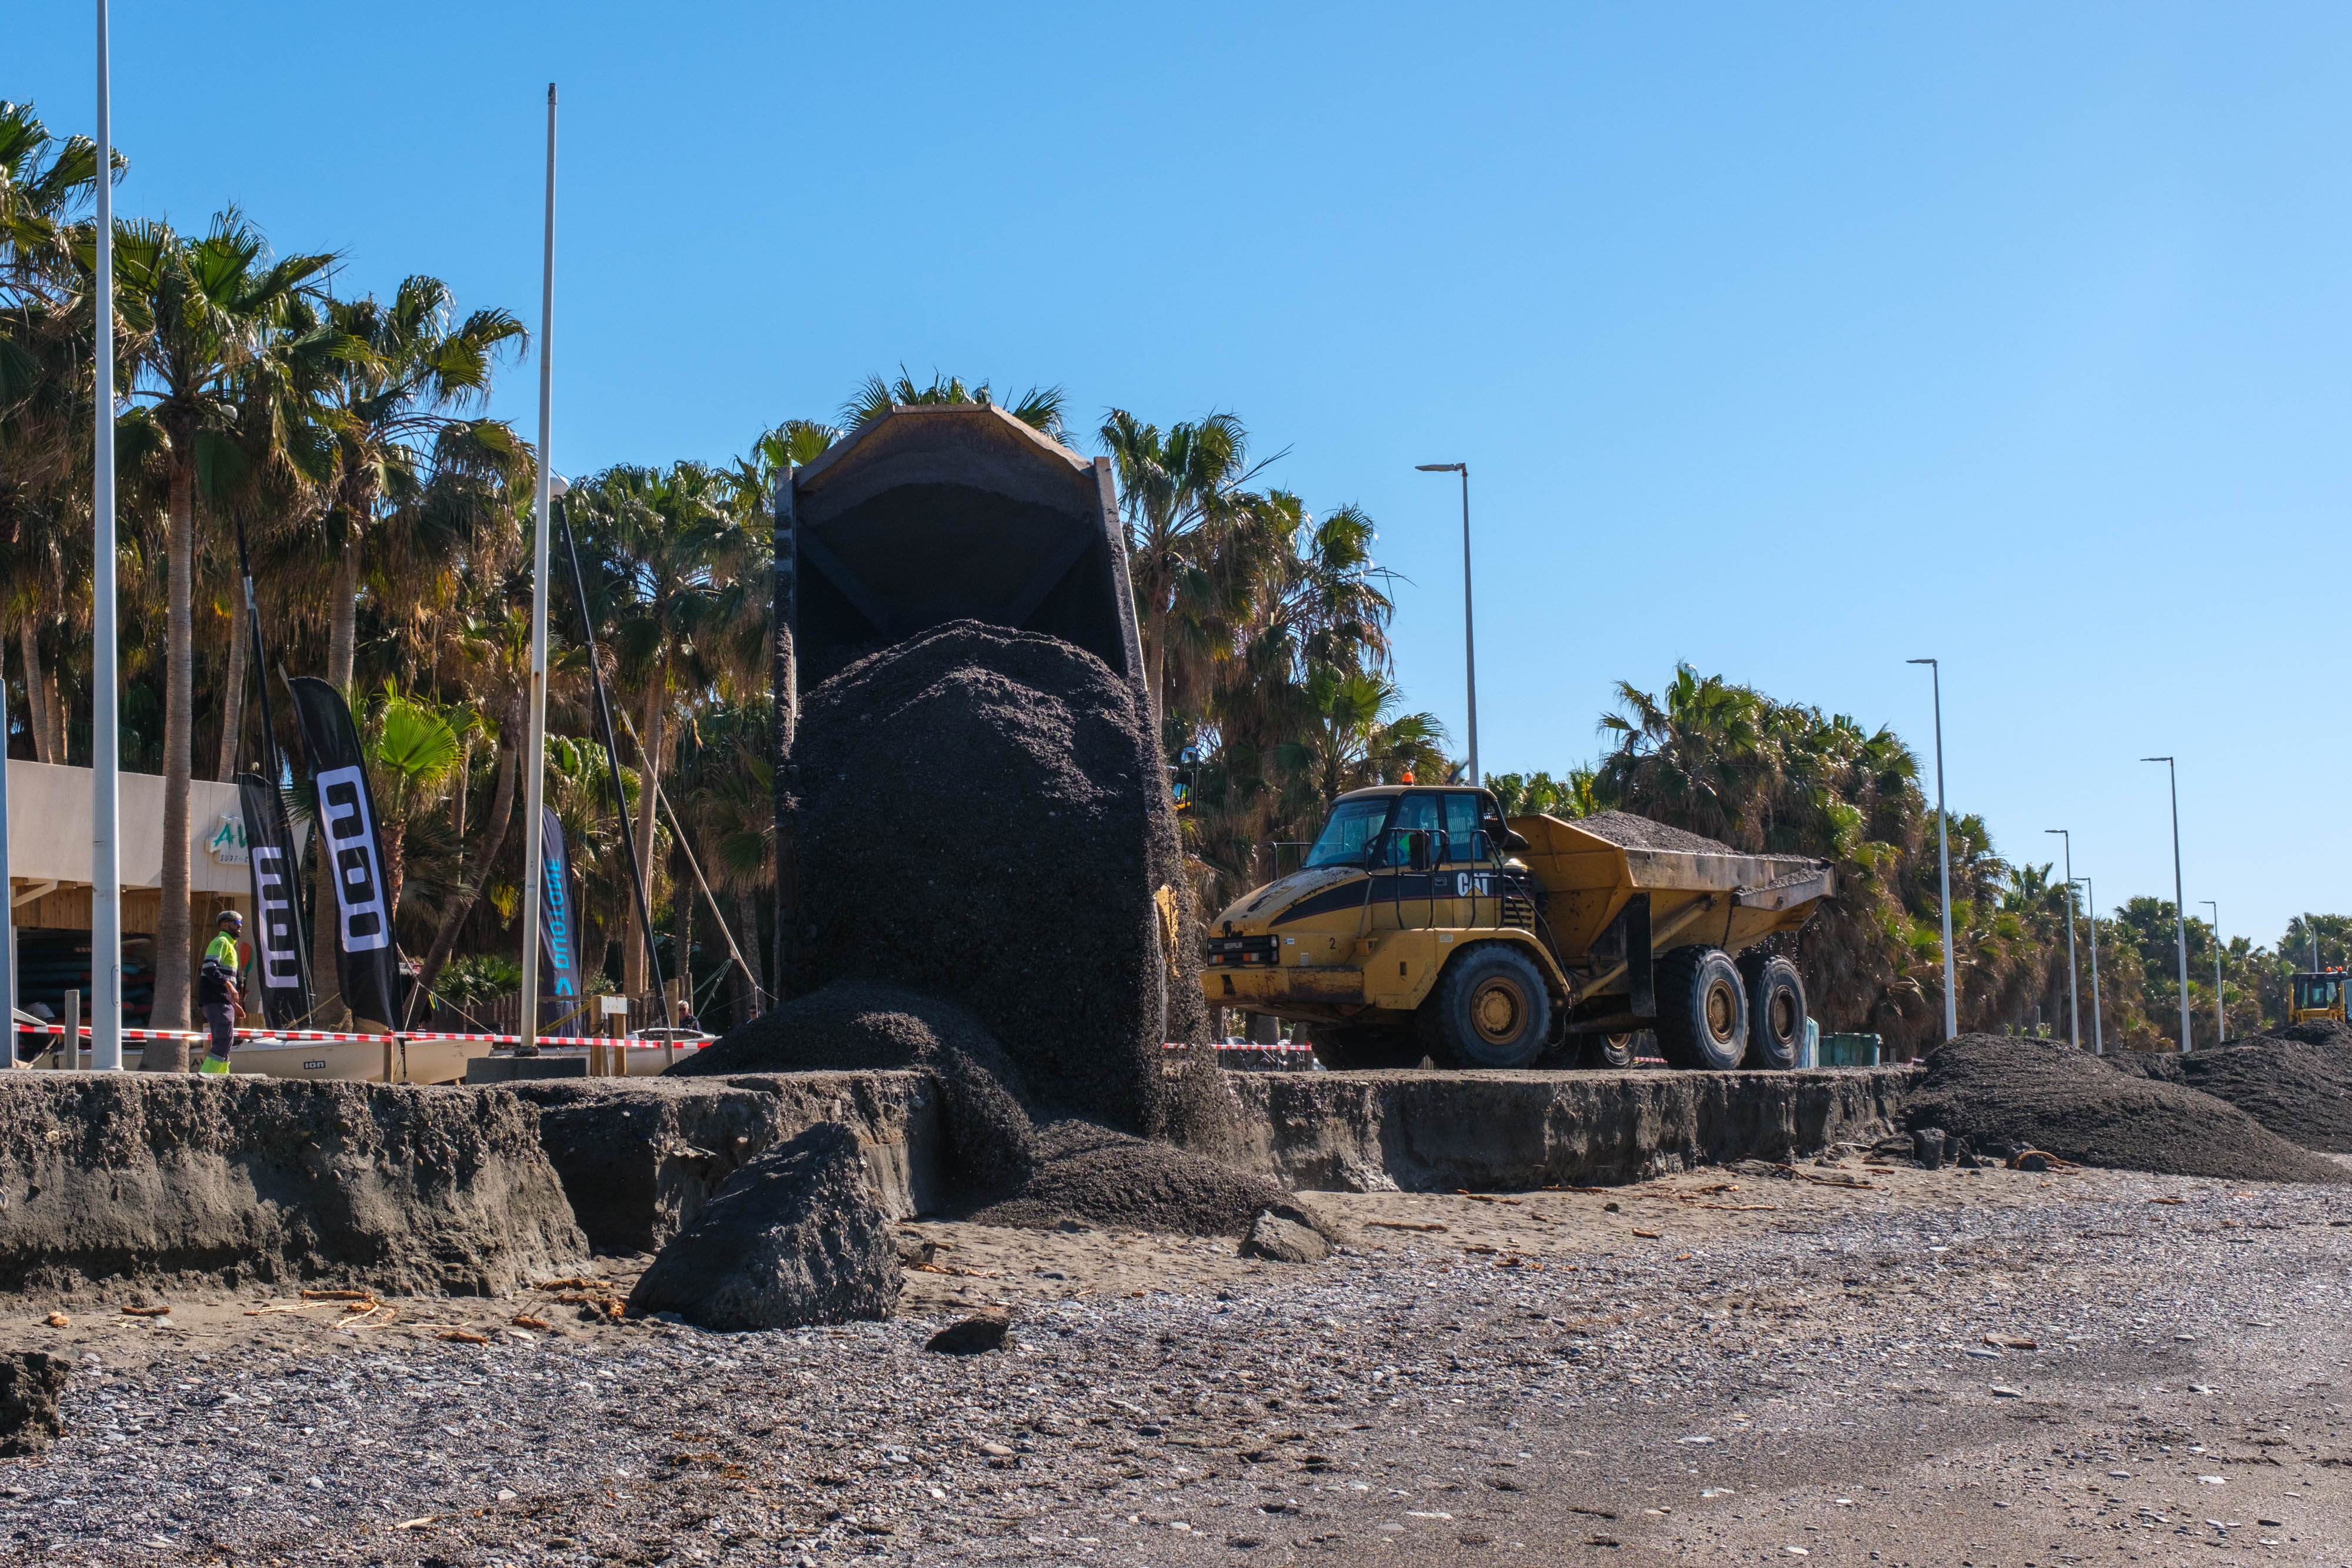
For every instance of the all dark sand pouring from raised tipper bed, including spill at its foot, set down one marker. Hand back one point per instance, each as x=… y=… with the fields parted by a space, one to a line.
x=984 y=833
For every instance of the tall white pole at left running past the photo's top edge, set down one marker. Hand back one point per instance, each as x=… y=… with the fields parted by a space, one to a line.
x=105 y=751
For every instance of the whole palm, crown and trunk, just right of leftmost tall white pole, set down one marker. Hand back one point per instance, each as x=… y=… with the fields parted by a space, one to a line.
x=201 y=314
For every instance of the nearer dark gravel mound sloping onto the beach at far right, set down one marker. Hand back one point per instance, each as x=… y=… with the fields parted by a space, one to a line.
x=1998 y=1092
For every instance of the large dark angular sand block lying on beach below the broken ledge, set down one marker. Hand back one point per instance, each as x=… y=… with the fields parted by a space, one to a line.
x=791 y=1240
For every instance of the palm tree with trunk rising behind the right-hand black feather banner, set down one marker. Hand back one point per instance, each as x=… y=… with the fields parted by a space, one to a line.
x=401 y=396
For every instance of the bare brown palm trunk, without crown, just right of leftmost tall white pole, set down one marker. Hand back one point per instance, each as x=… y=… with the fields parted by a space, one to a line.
x=178 y=768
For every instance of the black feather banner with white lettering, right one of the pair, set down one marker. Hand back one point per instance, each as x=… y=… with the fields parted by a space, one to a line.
x=354 y=855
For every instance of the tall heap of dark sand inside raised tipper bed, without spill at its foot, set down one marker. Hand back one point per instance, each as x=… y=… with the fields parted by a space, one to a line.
x=984 y=819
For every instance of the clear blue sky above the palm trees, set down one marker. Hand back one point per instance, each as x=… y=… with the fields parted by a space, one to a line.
x=1789 y=342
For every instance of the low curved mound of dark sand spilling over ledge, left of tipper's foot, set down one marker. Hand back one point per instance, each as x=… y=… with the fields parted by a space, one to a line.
x=850 y=1028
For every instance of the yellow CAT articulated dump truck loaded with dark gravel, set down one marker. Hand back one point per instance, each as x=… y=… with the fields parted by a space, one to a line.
x=1426 y=925
